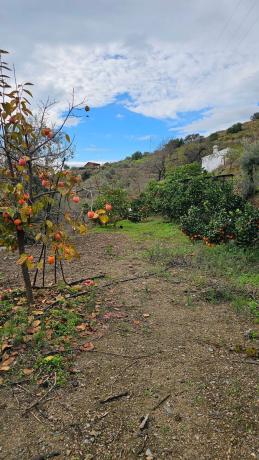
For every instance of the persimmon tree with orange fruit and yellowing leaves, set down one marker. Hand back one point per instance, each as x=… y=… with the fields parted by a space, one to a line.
x=38 y=196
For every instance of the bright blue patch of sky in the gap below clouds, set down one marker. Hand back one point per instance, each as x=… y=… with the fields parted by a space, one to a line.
x=113 y=132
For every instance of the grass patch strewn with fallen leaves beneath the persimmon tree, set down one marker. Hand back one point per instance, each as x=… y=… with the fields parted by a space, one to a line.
x=26 y=334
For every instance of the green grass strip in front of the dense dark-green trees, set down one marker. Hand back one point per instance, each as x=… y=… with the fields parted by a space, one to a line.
x=229 y=262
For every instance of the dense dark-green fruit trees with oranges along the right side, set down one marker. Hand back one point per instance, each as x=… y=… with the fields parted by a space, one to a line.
x=206 y=208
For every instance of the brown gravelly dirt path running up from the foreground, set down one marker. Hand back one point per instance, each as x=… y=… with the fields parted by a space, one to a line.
x=167 y=342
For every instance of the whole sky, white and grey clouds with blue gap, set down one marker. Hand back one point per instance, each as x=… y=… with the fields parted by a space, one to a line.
x=149 y=69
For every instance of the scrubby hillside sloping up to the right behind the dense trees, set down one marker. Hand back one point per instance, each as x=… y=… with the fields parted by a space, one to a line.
x=133 y=173
